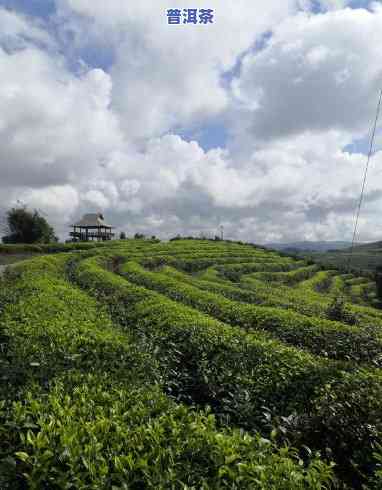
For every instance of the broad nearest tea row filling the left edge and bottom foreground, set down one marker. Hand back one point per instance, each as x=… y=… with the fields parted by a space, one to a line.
x=82 y=406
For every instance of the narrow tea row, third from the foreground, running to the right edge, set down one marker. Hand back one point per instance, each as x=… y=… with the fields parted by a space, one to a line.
x=323 y=337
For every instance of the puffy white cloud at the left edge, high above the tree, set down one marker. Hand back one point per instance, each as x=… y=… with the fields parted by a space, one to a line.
x=53 y=125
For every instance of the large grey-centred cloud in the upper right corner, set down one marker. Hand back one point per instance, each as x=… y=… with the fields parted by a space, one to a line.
x=317 y=72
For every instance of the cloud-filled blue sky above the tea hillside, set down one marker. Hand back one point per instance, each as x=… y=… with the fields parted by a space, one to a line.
x=259 y=121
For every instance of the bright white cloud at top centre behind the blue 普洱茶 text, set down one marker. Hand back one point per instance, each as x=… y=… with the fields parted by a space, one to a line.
x=166 y=76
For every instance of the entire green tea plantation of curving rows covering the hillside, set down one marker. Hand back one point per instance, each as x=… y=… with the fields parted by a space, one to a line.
x=191 y=364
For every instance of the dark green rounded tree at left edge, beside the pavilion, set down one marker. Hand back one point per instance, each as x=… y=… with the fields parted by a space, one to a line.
x=24 y=226
